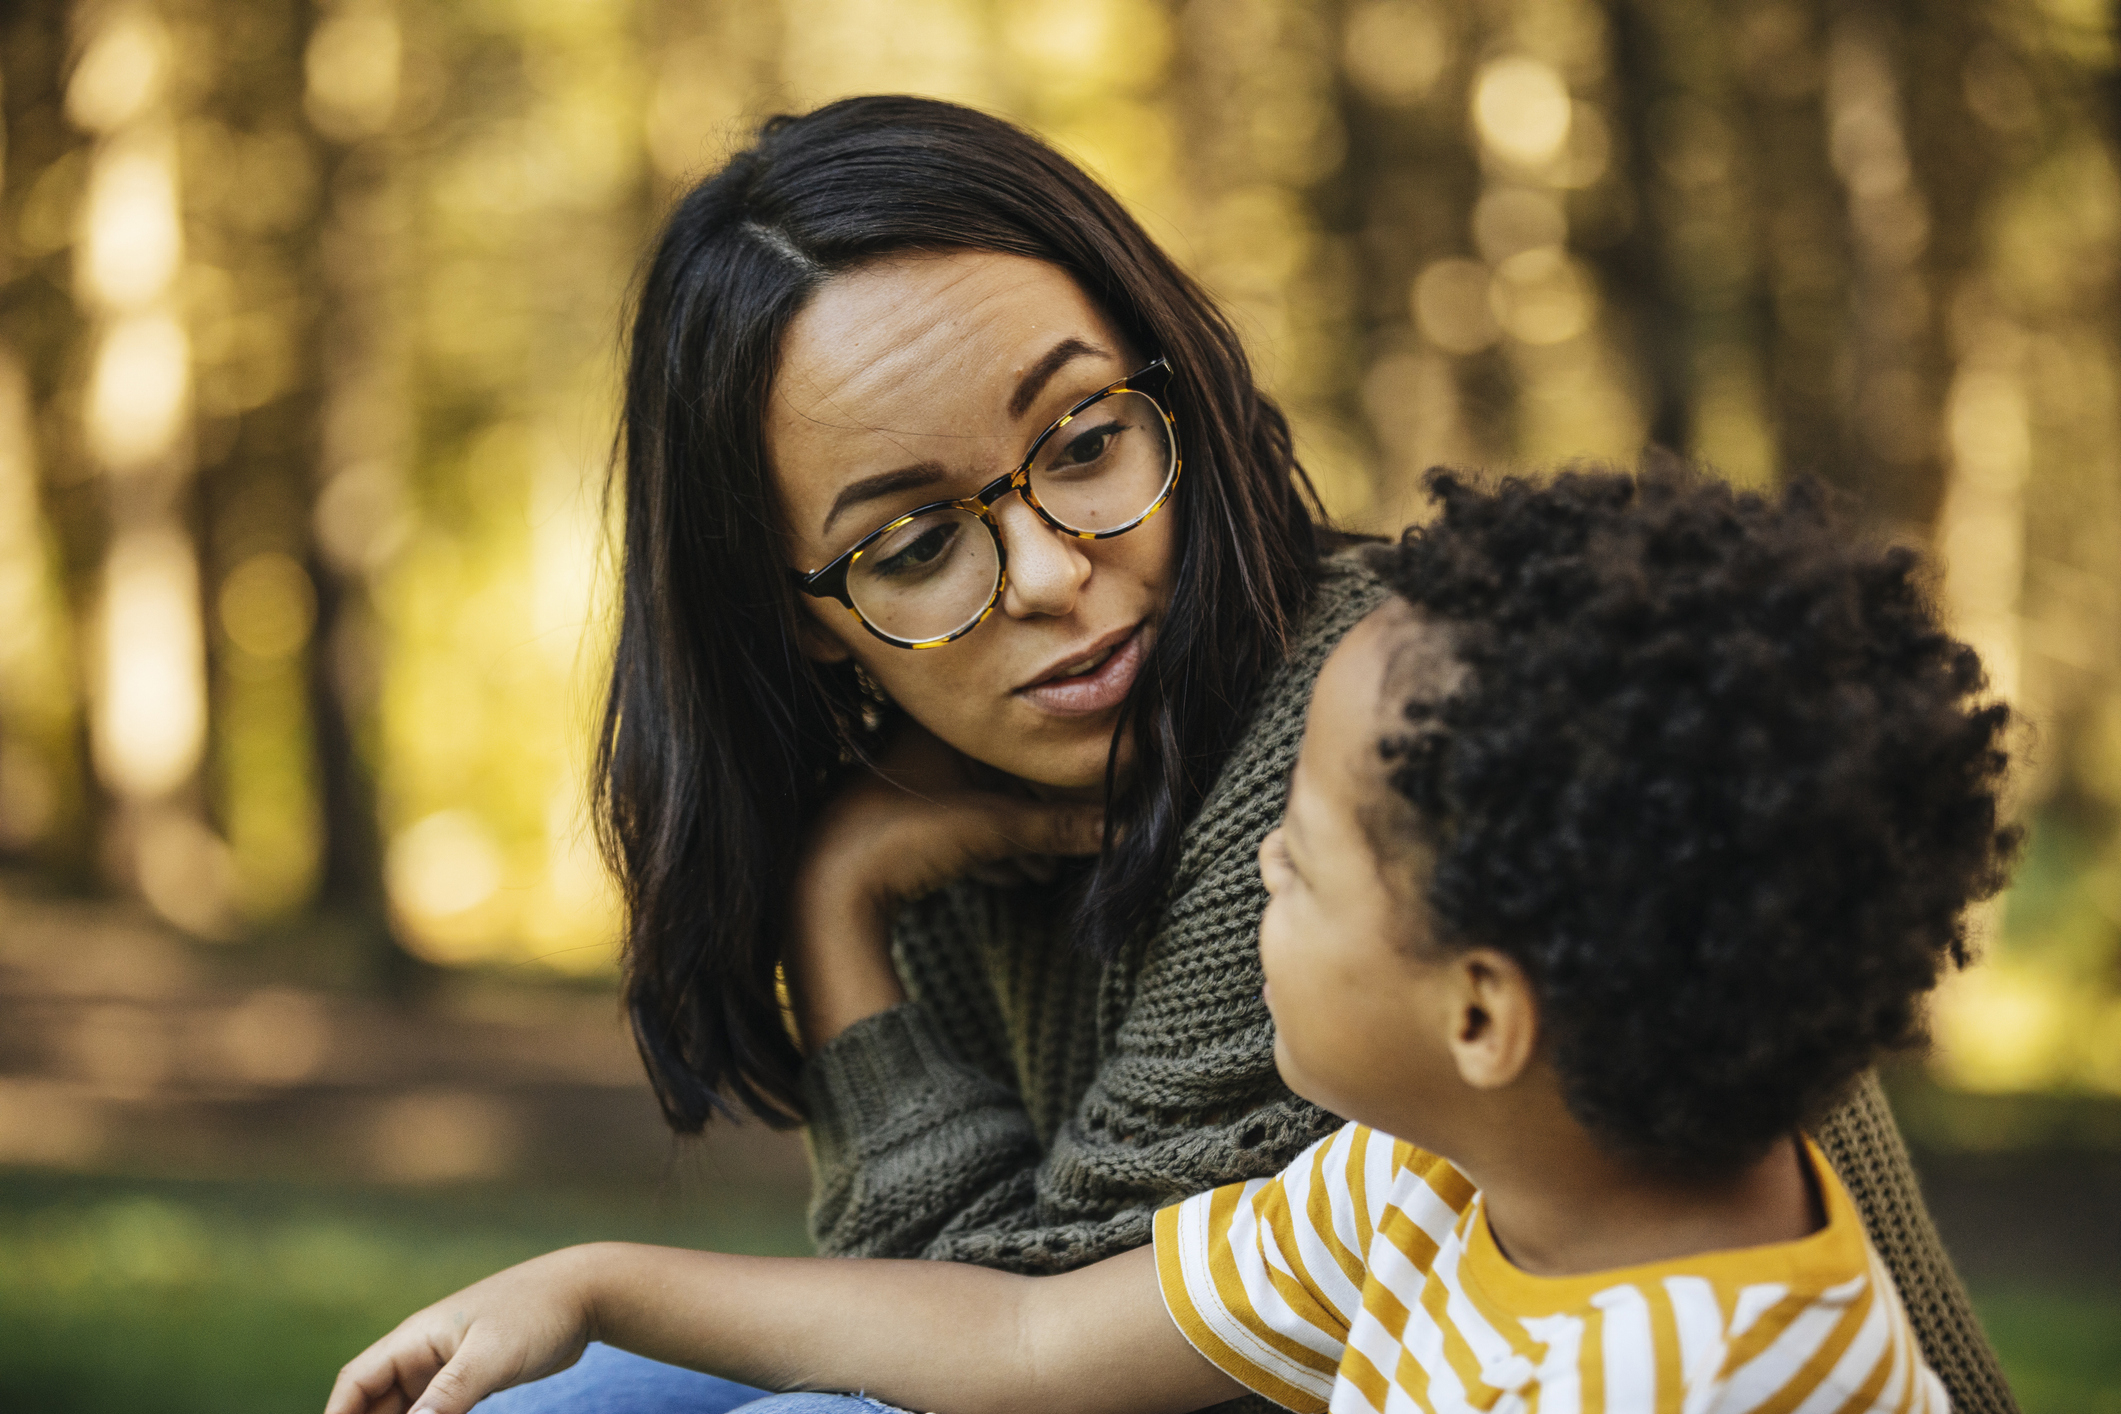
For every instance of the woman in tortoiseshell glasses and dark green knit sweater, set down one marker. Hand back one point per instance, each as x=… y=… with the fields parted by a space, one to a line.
x=972 y=603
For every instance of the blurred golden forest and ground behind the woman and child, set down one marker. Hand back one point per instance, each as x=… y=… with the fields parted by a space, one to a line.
x=309 y=344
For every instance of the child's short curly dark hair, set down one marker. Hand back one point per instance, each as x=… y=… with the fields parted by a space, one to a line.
x=1715 y=779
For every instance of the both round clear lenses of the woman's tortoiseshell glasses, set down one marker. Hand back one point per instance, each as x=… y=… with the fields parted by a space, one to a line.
x=936 y=573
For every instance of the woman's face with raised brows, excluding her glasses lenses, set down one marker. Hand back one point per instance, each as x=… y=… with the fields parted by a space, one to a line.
x=924 y=378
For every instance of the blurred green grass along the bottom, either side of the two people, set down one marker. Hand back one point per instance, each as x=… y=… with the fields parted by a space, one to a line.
x=245 y=1298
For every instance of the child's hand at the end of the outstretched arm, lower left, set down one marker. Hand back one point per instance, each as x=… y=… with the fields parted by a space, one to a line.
x=512 y=1328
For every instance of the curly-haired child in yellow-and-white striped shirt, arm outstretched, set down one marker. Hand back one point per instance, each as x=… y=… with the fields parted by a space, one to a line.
x=1622 y=841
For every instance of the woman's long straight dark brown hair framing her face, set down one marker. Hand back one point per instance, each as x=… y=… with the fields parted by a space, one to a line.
x=720 y=739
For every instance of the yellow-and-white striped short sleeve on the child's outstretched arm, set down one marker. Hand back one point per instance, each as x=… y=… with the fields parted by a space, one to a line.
x=1265 y=1277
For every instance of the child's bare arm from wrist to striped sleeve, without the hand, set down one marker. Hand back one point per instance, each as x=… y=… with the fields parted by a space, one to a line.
x=922 y=1335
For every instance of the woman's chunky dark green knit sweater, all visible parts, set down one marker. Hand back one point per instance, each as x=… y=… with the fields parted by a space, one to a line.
x=1032 y=1110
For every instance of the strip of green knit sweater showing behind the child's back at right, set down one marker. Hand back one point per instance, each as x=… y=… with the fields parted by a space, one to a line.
x=1863 y=1144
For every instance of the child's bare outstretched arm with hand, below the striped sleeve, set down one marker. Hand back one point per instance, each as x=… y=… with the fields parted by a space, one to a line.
x=922 y=1335
